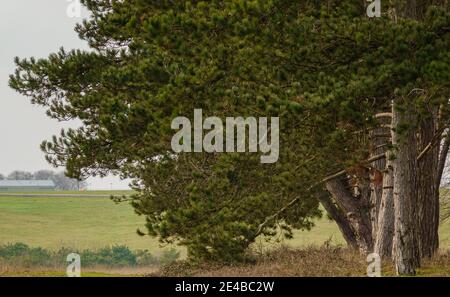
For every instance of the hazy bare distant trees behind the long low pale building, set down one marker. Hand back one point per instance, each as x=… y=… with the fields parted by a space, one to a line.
x=61 y=181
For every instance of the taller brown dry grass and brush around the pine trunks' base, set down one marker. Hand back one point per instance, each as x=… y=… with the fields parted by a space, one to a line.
x=311 y=261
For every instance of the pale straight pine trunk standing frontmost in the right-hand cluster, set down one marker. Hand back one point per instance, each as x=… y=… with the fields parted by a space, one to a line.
x=406 y=242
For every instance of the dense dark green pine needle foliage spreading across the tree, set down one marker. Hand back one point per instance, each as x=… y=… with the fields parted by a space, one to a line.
x=323 y=68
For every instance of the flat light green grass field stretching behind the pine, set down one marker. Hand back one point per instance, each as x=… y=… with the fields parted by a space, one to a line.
x=92 y=223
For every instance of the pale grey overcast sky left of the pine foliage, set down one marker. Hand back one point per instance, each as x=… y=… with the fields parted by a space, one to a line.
x=33 y=28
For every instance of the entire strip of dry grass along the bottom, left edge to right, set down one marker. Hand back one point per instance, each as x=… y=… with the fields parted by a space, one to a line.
x=311 y=261
